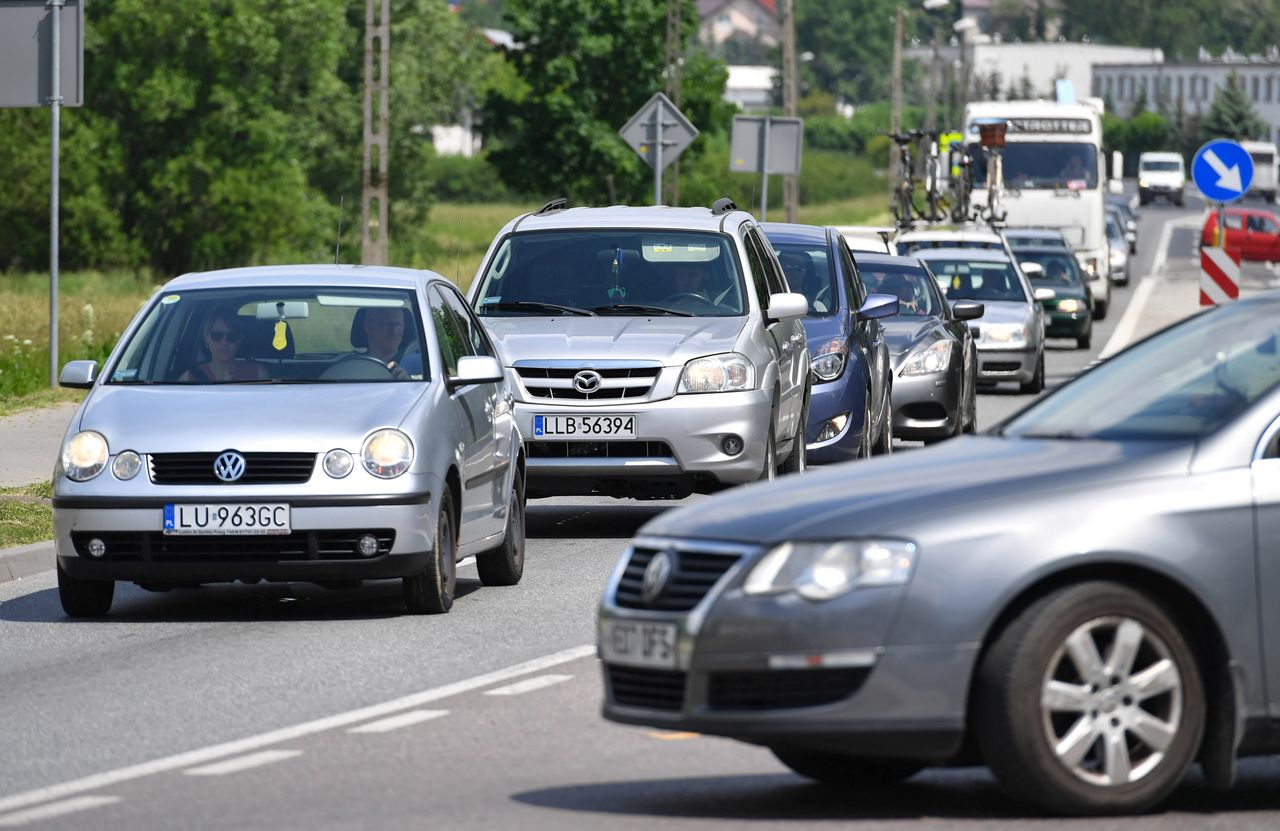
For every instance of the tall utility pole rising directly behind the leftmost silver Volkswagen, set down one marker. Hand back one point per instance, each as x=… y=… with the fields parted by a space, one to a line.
x=378 y=39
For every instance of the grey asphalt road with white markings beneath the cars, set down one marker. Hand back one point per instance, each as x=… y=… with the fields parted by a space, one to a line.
x=291 y=706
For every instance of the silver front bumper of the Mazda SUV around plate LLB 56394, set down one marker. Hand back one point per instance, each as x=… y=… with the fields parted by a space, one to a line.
x=678 y=446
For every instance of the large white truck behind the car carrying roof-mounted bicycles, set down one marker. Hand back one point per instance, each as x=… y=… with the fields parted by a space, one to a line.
x=1054 y=177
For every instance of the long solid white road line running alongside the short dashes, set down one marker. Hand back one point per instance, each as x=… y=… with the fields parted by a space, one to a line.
x=202 y=756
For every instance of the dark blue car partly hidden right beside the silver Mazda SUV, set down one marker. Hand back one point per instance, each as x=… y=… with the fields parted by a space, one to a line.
x=851 y=415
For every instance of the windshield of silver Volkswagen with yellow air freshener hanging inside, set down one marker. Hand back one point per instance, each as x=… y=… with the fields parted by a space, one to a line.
x=309 y=335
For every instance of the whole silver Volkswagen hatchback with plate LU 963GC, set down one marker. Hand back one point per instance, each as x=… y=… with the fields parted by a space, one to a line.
x=318 y=423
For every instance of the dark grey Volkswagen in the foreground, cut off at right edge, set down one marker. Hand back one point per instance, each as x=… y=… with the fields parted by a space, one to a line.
x=1084 y=600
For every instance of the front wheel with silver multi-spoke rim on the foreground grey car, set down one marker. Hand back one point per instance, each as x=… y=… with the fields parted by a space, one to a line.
x=1090 y=702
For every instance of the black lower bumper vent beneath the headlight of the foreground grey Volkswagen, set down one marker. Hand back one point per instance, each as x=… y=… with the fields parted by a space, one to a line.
x=783 y=690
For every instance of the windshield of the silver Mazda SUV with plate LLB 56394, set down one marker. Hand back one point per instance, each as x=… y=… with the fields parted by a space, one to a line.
x=618 y=272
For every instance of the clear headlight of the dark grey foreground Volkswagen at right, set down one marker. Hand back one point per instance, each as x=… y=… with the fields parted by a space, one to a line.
x=820 y=572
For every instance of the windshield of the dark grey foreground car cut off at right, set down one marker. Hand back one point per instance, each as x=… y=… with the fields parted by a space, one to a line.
x=1185 y=383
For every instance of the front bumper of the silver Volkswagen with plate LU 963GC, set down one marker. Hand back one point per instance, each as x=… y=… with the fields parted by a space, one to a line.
x=321 y=547
